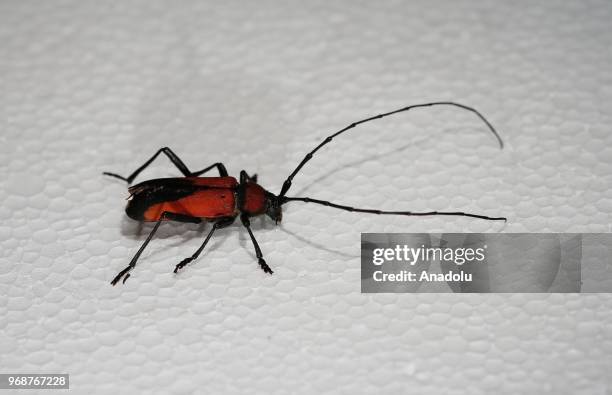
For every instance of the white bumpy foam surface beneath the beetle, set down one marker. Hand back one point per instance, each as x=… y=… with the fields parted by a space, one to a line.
x=87 y=87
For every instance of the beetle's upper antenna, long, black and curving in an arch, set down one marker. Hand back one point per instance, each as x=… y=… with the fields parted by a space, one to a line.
x=287 y=183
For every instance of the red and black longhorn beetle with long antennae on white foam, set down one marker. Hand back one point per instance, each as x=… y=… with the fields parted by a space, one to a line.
x=222 y=199
